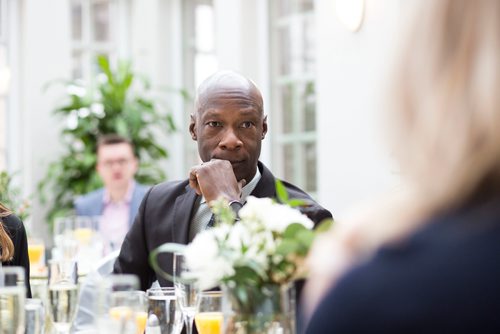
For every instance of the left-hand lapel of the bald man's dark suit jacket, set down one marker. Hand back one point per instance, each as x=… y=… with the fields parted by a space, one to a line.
x=182 y=221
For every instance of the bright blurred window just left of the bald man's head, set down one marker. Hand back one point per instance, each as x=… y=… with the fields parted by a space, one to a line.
x=199 y=55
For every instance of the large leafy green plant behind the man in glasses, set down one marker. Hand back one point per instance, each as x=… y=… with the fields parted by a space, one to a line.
x=118 y=102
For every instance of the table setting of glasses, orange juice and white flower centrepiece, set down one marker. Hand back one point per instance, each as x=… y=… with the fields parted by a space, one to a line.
x=234 y=278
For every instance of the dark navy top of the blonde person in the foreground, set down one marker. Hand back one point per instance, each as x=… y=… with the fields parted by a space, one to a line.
x=443 y=279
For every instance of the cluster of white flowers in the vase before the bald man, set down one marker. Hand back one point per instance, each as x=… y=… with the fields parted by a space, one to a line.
x=217 y=255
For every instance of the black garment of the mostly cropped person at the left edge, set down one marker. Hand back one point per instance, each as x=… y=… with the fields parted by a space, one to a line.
x=15 y=228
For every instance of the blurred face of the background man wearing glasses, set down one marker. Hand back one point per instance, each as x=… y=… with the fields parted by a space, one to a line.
x=116 y=164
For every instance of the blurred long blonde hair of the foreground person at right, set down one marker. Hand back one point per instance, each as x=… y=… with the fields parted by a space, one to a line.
x=446 y=102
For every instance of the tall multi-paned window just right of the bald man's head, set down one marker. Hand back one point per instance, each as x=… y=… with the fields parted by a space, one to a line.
x=293 y=95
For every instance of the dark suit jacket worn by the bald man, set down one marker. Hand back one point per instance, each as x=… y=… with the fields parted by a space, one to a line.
x=165 y=216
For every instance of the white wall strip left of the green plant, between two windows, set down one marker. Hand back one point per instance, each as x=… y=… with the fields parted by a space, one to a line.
x=45 y=56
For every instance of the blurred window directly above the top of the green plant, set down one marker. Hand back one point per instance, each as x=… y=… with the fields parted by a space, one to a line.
x=94 y=31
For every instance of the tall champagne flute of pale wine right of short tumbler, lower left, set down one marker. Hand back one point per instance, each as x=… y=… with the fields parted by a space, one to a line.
x=63 y=293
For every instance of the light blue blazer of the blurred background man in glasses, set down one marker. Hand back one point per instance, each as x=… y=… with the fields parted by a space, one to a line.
x=91 y=204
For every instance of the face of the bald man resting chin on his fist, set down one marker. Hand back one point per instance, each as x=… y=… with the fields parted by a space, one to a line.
x=229 y=127
